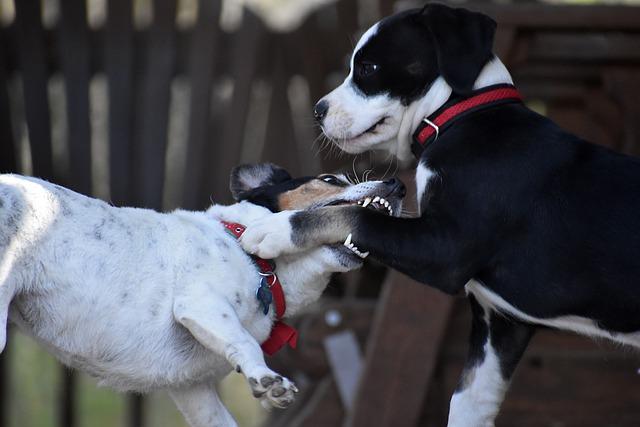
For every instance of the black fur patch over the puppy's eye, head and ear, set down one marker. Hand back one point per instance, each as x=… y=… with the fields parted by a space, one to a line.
x=412 y=48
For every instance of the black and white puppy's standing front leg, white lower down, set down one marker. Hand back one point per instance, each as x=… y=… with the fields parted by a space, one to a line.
x=495 y=348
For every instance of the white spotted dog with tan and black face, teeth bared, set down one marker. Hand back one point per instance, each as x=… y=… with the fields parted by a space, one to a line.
x=143 y=300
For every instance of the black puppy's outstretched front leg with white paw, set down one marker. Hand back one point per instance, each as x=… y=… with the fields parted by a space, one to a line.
x=429 y=250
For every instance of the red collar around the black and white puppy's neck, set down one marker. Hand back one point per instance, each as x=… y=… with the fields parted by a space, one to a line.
x=432 y=127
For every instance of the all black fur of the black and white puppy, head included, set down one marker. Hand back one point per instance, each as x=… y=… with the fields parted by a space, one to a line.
x=545 y=220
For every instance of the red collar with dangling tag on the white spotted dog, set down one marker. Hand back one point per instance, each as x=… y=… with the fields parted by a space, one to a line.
x=281 y=333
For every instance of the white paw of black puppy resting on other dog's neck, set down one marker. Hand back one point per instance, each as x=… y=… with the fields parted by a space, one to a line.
x=269 y=237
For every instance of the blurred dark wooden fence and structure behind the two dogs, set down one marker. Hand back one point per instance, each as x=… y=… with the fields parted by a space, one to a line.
x=250 y=95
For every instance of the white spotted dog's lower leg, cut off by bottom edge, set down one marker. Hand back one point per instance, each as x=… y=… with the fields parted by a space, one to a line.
x=201 y=406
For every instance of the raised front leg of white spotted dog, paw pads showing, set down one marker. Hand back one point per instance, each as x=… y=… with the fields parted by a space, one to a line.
x=215 y=325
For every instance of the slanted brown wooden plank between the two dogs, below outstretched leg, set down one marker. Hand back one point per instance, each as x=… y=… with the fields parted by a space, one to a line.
x=401 y=355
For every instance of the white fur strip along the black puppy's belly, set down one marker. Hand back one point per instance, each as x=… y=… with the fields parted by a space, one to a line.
x=580 y=325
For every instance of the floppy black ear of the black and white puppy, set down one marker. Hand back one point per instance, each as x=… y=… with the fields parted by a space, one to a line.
x=463 y=43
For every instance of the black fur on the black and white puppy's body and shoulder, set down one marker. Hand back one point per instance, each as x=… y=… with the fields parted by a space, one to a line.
x=546 y=220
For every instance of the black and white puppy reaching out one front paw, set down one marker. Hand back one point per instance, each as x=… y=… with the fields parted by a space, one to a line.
x=536 y=225
